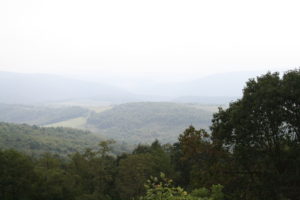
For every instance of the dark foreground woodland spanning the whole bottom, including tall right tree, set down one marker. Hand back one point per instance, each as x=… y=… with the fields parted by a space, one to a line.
x=252 y=152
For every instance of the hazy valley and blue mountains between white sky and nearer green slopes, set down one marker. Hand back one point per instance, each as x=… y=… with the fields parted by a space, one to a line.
x=136 y=116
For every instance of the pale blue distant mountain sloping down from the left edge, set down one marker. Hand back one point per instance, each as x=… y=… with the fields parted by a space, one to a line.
x=18 y=88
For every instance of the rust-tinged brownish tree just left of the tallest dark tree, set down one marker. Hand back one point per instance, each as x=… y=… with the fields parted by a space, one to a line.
x=197 y=161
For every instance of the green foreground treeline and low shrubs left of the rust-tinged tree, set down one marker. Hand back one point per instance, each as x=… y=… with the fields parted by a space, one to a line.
x=94 y=175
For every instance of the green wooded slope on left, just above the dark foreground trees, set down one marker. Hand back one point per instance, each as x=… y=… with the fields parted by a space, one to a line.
x=35 y=140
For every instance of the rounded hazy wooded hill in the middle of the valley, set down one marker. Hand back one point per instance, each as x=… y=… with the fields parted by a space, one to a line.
x=144 y=122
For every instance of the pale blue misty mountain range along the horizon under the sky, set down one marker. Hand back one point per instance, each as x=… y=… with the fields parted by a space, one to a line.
x=18 y=88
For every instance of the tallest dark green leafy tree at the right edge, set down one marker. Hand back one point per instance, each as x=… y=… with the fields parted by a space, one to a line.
x=261 y=131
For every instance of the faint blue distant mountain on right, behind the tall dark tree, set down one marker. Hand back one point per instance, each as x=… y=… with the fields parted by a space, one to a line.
x=213 y=89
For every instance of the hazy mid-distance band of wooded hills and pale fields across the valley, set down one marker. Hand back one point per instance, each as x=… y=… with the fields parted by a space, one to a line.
x=132 y=122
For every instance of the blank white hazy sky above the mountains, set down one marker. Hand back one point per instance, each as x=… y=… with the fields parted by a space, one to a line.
x=154 y=39
